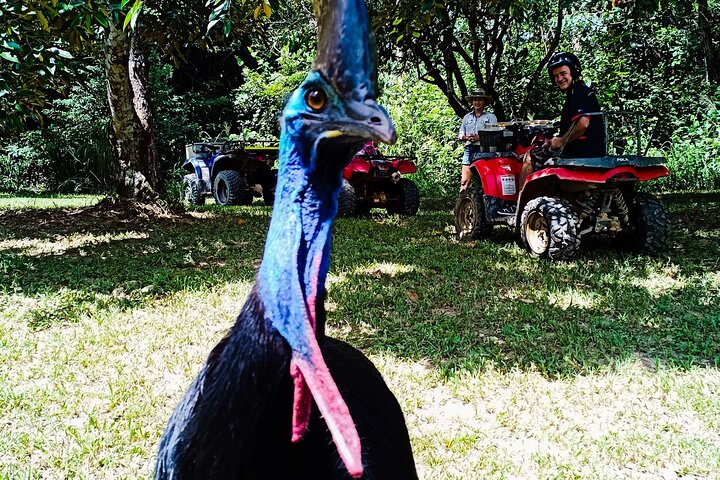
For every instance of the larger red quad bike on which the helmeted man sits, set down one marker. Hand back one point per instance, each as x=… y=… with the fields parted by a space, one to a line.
x=564 y=201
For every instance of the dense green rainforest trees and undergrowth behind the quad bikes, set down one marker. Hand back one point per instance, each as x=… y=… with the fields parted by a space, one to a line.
x=102 y=96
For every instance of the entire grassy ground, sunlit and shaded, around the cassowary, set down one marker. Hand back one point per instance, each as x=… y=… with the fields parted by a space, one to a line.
x=506 y=367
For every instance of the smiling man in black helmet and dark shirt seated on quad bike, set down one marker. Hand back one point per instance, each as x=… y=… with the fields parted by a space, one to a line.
x=582 y=135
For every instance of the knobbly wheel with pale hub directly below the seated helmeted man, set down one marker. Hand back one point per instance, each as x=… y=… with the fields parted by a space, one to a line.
x=549 y=228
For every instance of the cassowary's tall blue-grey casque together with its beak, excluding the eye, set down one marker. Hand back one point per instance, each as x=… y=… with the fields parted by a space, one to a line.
x=346 y=58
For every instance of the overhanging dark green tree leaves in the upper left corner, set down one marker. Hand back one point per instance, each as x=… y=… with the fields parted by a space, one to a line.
x=45 y=44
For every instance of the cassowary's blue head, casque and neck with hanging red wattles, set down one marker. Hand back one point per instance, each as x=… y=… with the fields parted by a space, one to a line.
x=326 y=120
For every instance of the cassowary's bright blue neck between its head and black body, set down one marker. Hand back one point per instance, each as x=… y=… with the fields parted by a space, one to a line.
x=297 y=252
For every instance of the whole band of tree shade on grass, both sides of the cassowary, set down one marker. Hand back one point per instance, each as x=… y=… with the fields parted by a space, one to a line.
x=406 y=287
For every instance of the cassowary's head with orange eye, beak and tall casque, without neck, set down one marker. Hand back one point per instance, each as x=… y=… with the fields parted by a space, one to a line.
x=334 y=111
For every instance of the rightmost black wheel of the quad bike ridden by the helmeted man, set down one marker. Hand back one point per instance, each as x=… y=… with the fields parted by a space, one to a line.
x=650 y=223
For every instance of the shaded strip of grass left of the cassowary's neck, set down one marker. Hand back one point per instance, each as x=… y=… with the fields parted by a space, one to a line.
x=78 y=262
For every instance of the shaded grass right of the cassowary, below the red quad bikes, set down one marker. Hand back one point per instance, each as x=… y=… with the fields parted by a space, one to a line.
x=465 y=306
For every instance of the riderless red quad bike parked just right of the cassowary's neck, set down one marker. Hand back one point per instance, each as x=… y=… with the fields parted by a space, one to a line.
x=374 y=180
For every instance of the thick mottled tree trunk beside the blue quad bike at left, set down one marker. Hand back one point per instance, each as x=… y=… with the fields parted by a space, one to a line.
x=138 y=172
